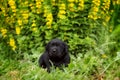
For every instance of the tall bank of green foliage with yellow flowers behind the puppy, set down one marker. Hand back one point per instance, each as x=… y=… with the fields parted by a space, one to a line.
x=79 y=31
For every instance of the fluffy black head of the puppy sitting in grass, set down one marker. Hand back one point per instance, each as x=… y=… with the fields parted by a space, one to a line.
x=56 y=48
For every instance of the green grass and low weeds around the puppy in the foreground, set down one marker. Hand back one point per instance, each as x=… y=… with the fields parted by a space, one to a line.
x=89 y=67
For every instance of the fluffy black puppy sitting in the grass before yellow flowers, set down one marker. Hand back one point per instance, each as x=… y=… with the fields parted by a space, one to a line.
x=56 y=54
